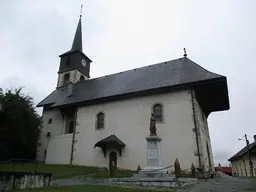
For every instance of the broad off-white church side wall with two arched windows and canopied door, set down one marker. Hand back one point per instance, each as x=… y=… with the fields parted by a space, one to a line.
x=129 y=121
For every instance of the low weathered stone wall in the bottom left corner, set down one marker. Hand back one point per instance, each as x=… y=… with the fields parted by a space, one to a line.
x=24 y=180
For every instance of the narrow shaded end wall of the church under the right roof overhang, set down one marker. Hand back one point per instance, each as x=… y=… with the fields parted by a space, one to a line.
x=204 y=136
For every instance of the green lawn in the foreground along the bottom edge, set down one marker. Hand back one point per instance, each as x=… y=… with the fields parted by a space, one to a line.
x=90 y=188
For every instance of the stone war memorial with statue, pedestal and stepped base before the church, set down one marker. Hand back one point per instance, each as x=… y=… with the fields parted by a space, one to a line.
x=154 y=173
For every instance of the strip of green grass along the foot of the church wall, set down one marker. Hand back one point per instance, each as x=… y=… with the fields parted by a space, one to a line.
x=63 y=171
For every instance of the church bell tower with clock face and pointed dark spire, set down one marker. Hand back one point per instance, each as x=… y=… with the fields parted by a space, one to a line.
x=74 y=64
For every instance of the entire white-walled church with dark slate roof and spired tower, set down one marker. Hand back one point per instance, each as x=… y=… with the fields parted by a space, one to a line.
x=96 y=121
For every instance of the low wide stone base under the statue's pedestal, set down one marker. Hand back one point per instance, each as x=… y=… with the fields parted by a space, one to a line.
x=156 y=182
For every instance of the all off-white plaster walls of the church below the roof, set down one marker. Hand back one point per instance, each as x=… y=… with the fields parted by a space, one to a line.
x=129 y=121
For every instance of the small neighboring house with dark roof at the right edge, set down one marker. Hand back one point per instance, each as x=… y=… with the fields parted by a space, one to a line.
x=240 y=161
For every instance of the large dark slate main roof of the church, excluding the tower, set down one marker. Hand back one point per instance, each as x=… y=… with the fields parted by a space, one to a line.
x=170 y=74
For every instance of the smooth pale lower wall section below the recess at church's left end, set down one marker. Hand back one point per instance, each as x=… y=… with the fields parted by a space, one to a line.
x=59 y=149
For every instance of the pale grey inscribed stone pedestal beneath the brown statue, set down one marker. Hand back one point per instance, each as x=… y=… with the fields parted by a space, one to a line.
x=154 y=161
